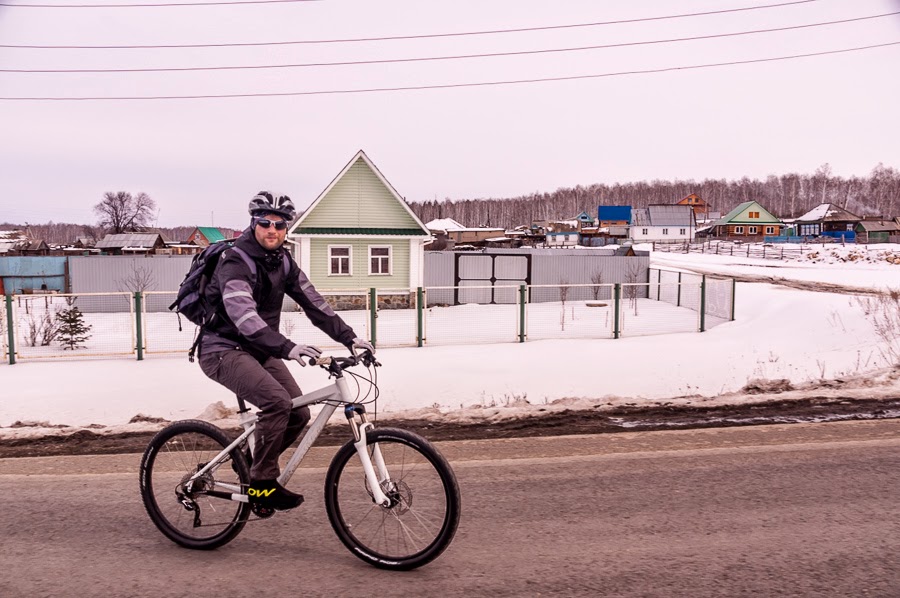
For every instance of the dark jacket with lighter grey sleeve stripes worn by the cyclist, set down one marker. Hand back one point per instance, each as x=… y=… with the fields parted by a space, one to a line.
x=248 y=307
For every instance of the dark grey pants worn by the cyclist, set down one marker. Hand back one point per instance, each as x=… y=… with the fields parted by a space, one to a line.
x=270 y=387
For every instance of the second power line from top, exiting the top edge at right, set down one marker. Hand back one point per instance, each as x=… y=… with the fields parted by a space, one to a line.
x=406 y=37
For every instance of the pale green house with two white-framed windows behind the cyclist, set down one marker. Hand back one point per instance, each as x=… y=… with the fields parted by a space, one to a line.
x=360 y=234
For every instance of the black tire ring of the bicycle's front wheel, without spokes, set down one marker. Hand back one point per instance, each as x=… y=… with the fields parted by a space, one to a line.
x=451 y=493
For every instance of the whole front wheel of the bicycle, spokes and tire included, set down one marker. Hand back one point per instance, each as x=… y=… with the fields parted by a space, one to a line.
x=423 y=515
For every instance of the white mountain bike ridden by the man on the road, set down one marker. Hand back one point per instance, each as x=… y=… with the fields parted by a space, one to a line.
x=396 y=506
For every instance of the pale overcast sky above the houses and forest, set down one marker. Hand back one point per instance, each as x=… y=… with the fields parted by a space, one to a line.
x=202 y=159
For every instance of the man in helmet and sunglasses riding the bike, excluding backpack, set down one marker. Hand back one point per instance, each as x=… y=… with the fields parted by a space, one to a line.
x=242 y=349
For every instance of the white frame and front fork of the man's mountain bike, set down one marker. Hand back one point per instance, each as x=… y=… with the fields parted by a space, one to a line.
x=330 y=396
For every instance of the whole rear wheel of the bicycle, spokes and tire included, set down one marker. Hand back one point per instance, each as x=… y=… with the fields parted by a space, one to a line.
x=183 y=511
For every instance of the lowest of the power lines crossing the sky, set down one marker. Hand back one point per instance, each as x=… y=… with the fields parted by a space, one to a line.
x=455 y=85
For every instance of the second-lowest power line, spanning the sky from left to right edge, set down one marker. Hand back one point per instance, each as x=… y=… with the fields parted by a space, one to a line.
x=456 y=57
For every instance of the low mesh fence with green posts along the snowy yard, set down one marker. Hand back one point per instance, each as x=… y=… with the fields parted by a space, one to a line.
x=138 y=324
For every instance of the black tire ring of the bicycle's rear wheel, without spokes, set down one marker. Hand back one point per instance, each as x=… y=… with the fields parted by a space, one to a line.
x=149 y=499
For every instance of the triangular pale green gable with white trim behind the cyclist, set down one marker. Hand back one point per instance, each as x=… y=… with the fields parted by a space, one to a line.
x=359 y=201
